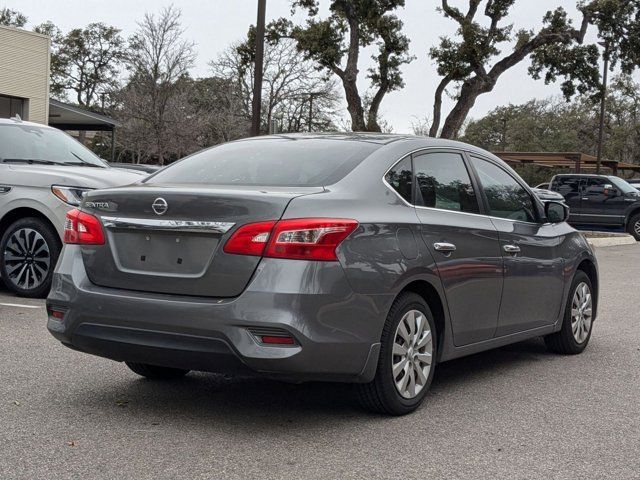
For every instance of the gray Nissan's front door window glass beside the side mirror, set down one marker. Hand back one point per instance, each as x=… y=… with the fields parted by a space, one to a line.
x=506 y=197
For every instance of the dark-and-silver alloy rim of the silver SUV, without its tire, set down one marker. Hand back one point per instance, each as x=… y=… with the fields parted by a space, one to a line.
x=27 y=259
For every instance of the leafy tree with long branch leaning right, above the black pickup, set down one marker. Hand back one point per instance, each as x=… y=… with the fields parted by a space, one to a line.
x=474 y=60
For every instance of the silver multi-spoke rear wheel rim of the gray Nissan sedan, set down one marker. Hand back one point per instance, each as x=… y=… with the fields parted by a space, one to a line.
x=412 y=354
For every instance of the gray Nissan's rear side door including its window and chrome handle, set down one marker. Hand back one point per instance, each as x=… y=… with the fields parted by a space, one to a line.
x=463 y=242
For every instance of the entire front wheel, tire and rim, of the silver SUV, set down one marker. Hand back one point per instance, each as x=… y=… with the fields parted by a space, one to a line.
x=29 y=250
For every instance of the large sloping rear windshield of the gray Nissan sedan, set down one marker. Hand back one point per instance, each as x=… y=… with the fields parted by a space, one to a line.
x=276 y=162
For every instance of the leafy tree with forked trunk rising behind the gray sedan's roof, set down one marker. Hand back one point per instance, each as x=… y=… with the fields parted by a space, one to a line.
x=335 y=43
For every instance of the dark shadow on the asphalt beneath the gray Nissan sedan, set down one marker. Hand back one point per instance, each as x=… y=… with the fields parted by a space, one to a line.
x=209 y=395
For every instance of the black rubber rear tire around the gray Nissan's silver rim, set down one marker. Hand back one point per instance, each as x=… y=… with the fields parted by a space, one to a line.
x=382 y=395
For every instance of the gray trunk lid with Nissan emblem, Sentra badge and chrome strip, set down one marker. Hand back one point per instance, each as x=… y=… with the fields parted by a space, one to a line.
x=170 y=240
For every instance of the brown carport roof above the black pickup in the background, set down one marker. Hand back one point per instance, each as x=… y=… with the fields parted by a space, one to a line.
x=575 y=160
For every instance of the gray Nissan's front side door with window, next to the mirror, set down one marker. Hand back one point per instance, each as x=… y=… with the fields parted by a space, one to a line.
x=533 y=268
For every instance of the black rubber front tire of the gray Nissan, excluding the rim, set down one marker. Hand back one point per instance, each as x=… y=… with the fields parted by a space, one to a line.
x=565 y=341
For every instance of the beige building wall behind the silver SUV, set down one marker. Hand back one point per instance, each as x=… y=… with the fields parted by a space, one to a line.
x=24 y=75
